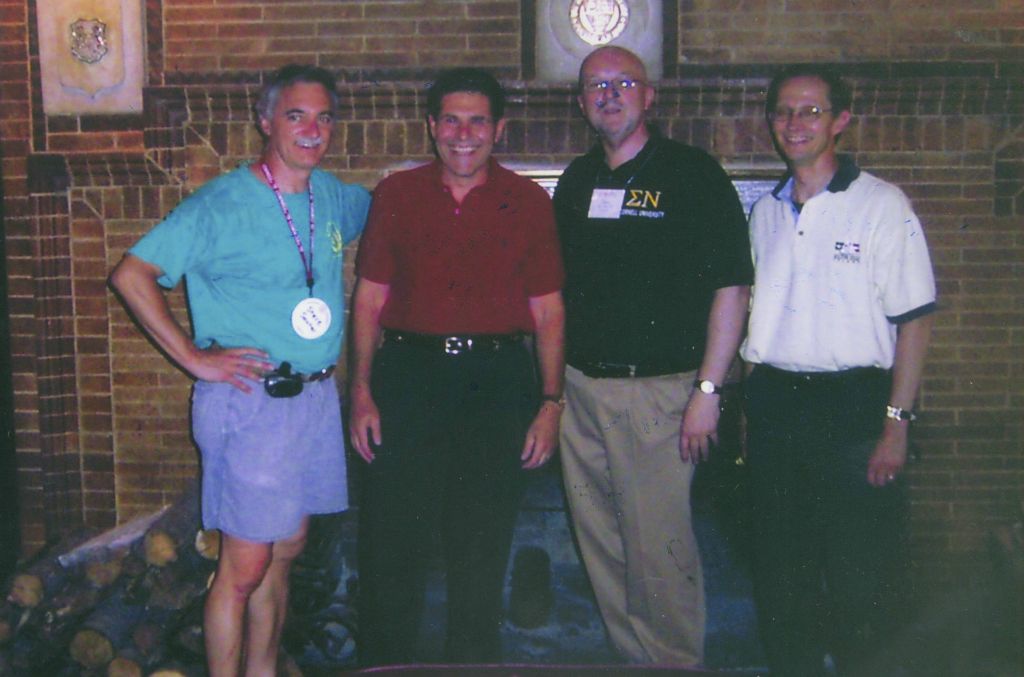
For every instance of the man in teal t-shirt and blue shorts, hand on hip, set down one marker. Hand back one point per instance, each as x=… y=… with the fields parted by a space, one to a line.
x=262 y=249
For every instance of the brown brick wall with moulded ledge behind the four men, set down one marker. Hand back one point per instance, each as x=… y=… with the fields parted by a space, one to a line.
x=102 y=417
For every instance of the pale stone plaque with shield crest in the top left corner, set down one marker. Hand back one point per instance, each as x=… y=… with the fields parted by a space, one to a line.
x=91 y=54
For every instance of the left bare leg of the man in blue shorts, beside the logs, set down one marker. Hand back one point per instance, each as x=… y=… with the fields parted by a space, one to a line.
x=240 y=571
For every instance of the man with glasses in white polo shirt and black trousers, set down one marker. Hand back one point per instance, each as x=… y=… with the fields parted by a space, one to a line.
x=840 y=324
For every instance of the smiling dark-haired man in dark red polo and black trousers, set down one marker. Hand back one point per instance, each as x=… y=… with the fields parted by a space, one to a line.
x=460 y=265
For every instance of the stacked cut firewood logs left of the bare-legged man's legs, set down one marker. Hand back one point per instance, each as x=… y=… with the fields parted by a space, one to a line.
x=117 y=604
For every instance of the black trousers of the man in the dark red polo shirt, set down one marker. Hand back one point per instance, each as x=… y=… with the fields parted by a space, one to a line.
x=453 y=430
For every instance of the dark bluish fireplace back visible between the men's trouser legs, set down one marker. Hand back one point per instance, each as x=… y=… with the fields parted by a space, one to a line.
x=574 y=633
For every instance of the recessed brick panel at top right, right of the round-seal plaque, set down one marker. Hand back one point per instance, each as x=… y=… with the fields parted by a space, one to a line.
x=947 y=34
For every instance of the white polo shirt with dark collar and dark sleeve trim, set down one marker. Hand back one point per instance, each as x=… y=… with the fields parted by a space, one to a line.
x=833 y=282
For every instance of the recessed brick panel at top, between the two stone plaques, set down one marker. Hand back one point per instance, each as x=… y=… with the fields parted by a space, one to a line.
x=387 y=36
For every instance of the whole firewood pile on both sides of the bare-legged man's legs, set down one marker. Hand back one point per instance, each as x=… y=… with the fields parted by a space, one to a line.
x=130 y=603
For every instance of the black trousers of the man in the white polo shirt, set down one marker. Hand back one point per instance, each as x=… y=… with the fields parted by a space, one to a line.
x=829 y=548
